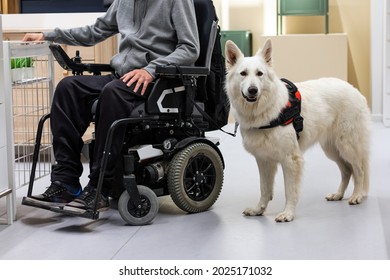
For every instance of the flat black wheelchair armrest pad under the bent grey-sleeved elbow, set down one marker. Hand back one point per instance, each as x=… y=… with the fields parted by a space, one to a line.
x=176 y=71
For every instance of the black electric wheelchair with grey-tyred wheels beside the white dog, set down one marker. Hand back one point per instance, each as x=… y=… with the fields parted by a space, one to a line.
x=166 y=151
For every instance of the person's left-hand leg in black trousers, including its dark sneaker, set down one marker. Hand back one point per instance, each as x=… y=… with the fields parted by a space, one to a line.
x=69 y=118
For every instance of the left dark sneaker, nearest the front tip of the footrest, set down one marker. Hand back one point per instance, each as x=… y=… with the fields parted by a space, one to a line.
x=58 y=194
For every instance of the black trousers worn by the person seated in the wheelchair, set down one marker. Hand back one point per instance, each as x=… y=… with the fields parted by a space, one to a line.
x=71 y=115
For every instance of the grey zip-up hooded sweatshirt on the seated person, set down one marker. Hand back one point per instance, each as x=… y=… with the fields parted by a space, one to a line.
x=152 y=32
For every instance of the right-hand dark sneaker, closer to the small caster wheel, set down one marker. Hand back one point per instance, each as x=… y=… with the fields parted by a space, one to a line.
x=87 y=199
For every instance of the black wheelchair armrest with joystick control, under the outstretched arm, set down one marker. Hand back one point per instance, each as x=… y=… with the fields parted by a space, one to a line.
x=69 y=64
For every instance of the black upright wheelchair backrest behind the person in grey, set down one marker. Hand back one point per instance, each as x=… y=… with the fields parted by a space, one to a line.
x=206 y=17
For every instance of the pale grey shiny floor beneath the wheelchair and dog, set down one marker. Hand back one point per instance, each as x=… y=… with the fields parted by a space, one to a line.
x=322 y=230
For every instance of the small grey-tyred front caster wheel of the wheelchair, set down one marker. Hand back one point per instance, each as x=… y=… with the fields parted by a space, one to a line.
x=142 y=216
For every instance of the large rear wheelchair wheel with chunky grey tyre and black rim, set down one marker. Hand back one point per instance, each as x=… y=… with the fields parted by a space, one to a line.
x=195 y=177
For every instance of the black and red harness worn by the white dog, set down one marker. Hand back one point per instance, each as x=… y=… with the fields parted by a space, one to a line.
x=292 y=112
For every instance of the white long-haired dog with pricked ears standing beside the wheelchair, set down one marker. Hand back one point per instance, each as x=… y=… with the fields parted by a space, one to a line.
x=334 y=113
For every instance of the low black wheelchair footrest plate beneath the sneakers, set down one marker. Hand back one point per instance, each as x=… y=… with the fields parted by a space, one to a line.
x=70 y=211
